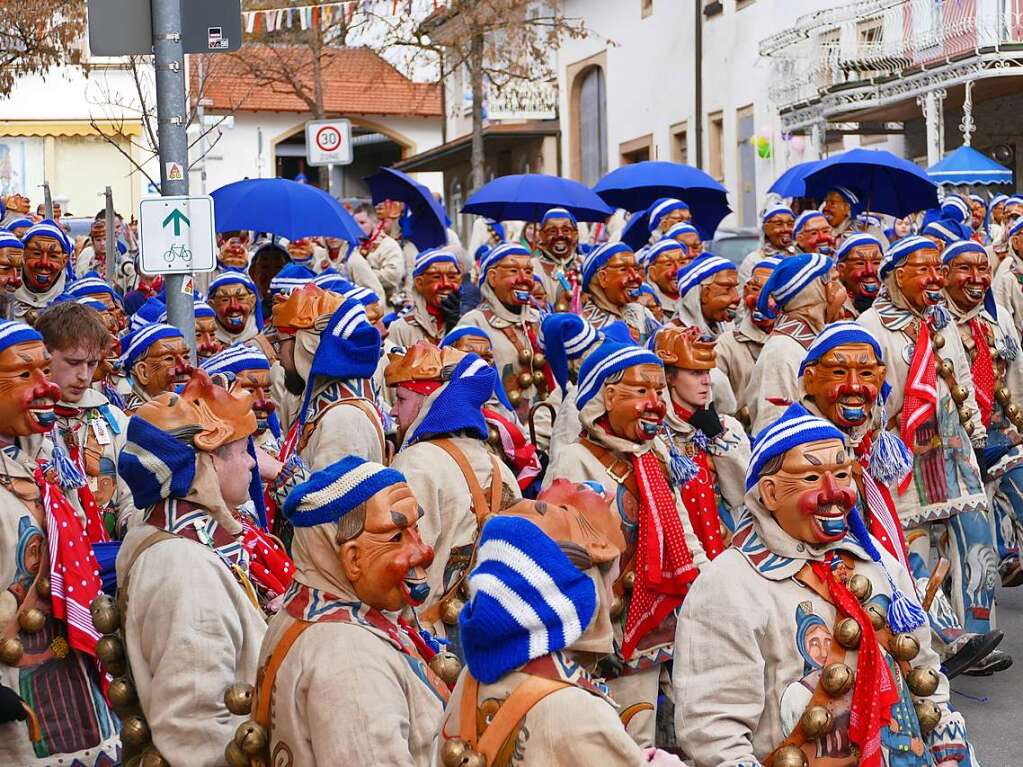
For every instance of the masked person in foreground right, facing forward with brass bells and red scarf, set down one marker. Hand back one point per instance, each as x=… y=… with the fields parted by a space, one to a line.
x=805 y=584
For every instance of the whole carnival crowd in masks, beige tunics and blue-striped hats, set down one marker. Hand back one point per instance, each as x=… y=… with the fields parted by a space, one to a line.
x=549 y=499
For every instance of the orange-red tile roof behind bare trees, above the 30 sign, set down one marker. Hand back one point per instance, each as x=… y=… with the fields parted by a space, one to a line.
x=357 y=81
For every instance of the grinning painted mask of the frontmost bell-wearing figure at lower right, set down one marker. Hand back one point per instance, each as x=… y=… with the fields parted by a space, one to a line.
x=813 y=491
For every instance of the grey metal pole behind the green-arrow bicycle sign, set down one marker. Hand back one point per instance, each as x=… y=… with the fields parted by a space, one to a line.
x=169 y=63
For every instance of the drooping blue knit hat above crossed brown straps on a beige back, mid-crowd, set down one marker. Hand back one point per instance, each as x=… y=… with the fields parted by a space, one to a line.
x=457 y=405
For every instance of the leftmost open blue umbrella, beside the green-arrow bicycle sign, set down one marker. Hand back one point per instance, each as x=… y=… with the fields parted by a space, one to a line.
x=285 y=208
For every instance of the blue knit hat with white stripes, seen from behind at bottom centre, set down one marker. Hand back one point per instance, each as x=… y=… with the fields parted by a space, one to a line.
x=526 y=600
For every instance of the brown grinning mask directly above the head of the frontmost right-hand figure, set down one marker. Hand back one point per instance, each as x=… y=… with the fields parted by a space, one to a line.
x=844 y=384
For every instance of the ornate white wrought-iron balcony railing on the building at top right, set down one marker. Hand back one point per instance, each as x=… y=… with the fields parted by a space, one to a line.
x=880 y=40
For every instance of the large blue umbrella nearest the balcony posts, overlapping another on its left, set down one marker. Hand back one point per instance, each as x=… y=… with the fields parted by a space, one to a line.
x=884 y=183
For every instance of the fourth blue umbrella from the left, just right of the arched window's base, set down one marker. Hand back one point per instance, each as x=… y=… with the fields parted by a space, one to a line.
x=637 y=187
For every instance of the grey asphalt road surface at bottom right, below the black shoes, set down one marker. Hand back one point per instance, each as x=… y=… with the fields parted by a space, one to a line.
x=993 y=706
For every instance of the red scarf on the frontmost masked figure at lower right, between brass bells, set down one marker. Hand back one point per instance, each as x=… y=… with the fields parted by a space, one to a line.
x=874 y=694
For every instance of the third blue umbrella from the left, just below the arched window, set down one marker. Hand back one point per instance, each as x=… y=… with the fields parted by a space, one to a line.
x=527 y=198
